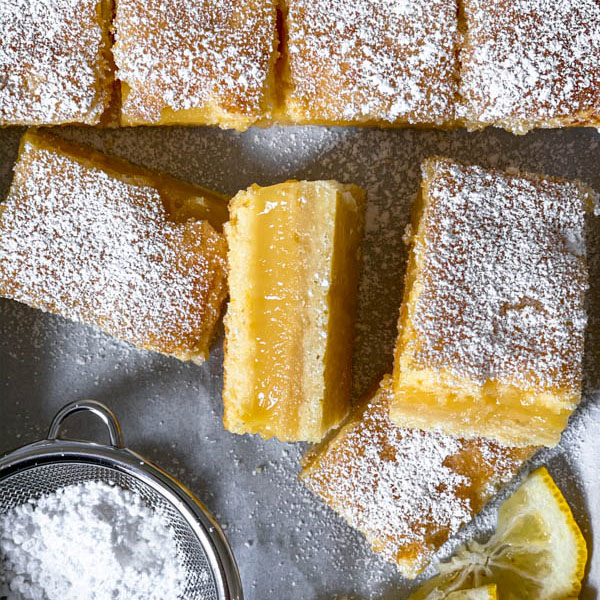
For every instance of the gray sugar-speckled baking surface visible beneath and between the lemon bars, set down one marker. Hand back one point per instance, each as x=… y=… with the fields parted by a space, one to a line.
x=289 y=546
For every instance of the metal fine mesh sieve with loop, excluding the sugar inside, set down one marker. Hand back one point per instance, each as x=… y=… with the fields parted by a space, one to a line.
x=43 y=467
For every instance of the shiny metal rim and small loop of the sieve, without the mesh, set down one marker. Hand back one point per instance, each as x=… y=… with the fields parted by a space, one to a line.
x=115 y=455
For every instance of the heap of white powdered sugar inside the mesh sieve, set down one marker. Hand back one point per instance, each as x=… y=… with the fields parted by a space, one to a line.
x=88 y=541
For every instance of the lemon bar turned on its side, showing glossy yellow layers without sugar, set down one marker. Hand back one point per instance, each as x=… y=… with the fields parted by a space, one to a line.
x=294 y=263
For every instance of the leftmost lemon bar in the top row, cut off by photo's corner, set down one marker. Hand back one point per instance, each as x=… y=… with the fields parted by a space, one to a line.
x=55 y=64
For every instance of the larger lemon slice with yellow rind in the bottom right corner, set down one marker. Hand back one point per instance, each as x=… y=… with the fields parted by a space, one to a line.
x=537 y=552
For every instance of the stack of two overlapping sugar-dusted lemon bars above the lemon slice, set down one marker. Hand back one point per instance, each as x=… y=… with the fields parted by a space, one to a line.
x=488 y=362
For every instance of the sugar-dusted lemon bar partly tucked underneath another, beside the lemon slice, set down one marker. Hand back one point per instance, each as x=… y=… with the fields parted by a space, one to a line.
x=406 y=490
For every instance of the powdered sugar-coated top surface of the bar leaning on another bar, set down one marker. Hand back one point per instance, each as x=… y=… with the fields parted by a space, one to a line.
x=502 y=283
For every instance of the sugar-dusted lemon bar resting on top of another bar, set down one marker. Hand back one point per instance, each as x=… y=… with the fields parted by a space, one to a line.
x=491 y=329
